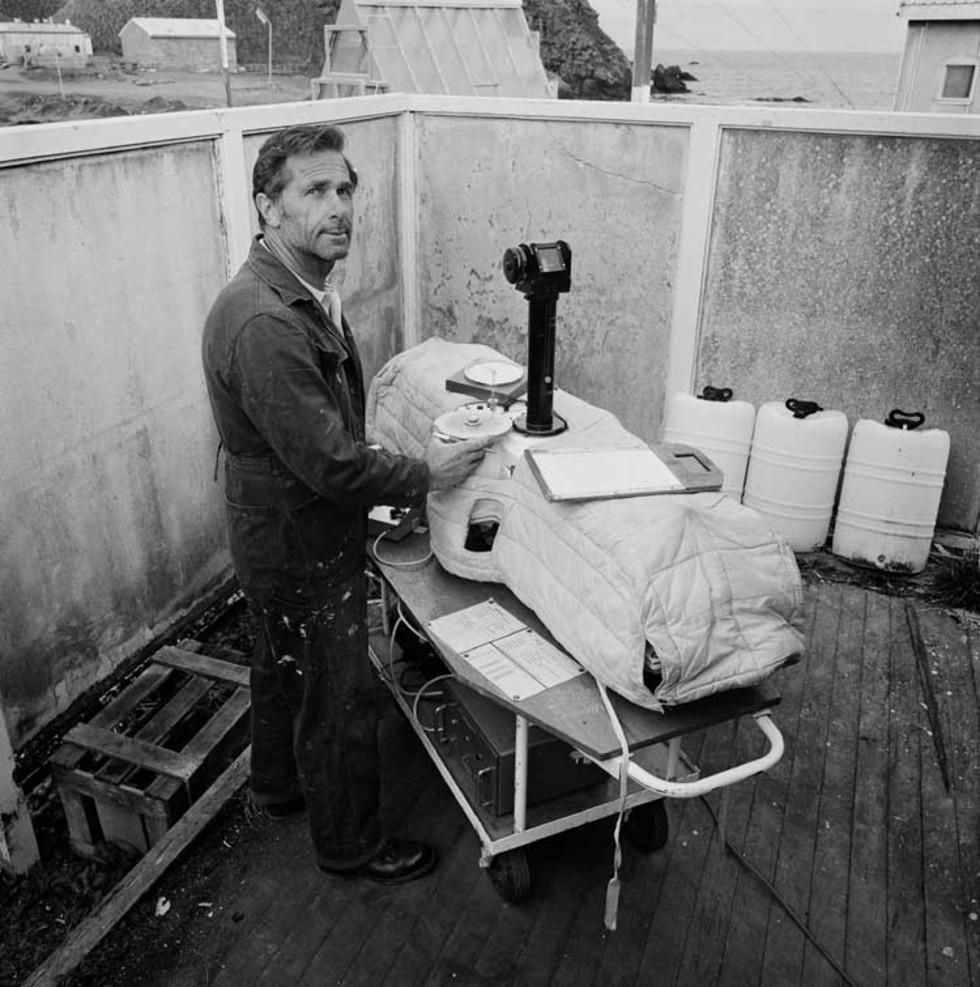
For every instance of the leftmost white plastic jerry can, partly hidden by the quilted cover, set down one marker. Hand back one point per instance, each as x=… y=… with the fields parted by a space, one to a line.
x=717 y=426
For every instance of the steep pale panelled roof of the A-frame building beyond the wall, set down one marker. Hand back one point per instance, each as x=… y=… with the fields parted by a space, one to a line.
x=460 y=47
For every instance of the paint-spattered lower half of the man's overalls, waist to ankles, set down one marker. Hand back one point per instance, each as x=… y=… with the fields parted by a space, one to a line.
x=300 y=562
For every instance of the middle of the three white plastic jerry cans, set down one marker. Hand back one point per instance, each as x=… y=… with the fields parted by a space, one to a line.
x=794 y=469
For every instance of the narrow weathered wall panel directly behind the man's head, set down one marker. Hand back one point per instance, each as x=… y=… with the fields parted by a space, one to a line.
x=370 y=279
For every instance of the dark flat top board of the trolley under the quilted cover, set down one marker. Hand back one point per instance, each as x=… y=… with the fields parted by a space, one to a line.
x=574 y=710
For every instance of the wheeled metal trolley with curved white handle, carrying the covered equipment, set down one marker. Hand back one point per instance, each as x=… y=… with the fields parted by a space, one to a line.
x=644 y=765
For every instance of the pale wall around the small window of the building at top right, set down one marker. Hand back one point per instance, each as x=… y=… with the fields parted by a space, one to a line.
x=929 y=45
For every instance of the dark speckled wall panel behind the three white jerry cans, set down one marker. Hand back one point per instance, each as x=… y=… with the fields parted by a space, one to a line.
x=843 y=269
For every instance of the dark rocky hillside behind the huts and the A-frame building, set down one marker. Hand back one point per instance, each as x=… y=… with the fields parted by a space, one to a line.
x=573 y=47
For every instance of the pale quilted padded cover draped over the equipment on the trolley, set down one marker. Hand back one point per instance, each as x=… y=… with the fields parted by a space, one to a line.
x=704 y=582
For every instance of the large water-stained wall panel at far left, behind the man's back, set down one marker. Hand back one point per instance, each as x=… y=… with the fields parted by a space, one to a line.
x=111 y=517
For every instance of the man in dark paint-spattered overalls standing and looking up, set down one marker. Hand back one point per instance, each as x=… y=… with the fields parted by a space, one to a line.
x=287 y=392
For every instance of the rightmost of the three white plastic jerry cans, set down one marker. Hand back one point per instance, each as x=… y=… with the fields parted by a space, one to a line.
x=889 y=501
